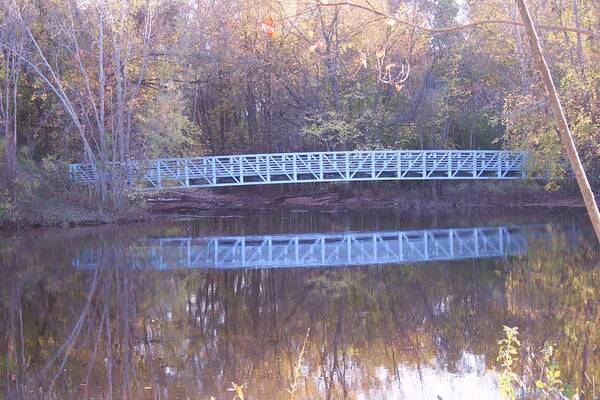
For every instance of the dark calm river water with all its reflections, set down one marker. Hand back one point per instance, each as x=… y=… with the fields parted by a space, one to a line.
x=386 y=305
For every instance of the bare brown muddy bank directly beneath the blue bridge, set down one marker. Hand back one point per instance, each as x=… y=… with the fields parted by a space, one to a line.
x=339 y=197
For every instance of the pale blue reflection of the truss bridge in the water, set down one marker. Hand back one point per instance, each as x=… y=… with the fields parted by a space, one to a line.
x=323 y=249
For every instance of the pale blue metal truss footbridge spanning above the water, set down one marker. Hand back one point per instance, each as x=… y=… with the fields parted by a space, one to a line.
x=341 y=166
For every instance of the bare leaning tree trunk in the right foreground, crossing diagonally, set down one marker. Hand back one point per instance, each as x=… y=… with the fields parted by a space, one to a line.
x=559 y=117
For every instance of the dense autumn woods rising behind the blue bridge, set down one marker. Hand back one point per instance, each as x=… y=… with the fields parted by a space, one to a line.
x=103 y=81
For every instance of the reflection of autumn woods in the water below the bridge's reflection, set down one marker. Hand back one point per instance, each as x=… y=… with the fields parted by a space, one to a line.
x=191 y=333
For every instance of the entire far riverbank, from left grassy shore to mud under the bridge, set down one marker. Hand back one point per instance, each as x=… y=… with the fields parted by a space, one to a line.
x=79 y=210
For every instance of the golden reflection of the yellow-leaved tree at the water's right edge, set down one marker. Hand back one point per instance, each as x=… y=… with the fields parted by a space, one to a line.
x=554 y=295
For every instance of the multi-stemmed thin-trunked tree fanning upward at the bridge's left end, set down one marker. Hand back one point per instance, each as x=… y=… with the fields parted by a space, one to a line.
x=99 y=73
